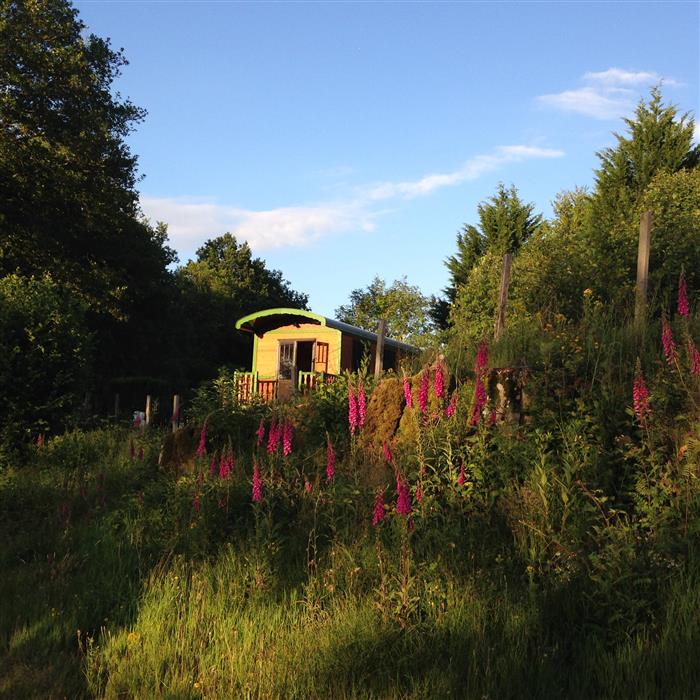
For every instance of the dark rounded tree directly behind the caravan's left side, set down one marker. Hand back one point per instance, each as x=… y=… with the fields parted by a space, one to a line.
x=224 y=283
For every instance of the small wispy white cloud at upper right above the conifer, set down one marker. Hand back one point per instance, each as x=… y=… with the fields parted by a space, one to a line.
x=606 y=94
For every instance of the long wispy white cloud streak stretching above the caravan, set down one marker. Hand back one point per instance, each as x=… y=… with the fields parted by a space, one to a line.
x=191 y=221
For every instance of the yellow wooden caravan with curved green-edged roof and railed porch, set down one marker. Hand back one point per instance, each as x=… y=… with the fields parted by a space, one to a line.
x=293 y=350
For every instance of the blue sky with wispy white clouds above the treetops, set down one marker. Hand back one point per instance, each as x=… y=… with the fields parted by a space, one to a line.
x=348 y=140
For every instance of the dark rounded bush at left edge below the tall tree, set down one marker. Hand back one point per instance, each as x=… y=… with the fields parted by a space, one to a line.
x=45 y=359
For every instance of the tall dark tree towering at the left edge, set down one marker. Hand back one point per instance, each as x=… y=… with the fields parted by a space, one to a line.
x=67 y=177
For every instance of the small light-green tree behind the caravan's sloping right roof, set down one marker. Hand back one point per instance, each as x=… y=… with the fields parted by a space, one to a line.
x=403 y=306
